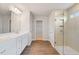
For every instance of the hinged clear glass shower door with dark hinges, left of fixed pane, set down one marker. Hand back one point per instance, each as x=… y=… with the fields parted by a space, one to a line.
x=59 y=35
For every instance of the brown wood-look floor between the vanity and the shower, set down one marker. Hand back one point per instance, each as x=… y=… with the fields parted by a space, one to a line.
x=40 y=47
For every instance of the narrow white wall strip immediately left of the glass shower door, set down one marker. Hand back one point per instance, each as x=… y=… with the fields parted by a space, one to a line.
x=51 y=27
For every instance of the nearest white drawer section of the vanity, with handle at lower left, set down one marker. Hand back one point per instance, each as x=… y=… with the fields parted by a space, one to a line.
x=8 y=47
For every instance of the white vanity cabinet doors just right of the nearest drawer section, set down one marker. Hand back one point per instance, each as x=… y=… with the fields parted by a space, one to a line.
x=21 y=43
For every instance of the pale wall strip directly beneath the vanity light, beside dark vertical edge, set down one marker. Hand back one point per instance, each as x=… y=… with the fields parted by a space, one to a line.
x=15 y=22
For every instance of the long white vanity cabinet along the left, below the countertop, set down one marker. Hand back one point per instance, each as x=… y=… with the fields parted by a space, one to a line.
x=14 y=45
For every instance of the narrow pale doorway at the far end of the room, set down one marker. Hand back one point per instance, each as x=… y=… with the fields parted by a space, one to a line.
x=39 y=30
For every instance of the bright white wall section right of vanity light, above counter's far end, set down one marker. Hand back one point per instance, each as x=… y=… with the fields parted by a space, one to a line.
x=25 y=21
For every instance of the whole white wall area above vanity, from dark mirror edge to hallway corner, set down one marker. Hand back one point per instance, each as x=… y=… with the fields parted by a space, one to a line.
x=20 y=22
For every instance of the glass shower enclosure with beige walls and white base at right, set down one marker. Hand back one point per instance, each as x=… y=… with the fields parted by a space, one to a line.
x=66 y=33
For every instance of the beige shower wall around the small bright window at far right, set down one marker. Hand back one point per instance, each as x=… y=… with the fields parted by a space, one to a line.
x=72 y=29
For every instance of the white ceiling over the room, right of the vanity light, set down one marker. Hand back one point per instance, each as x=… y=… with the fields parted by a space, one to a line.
x=44 y=9
